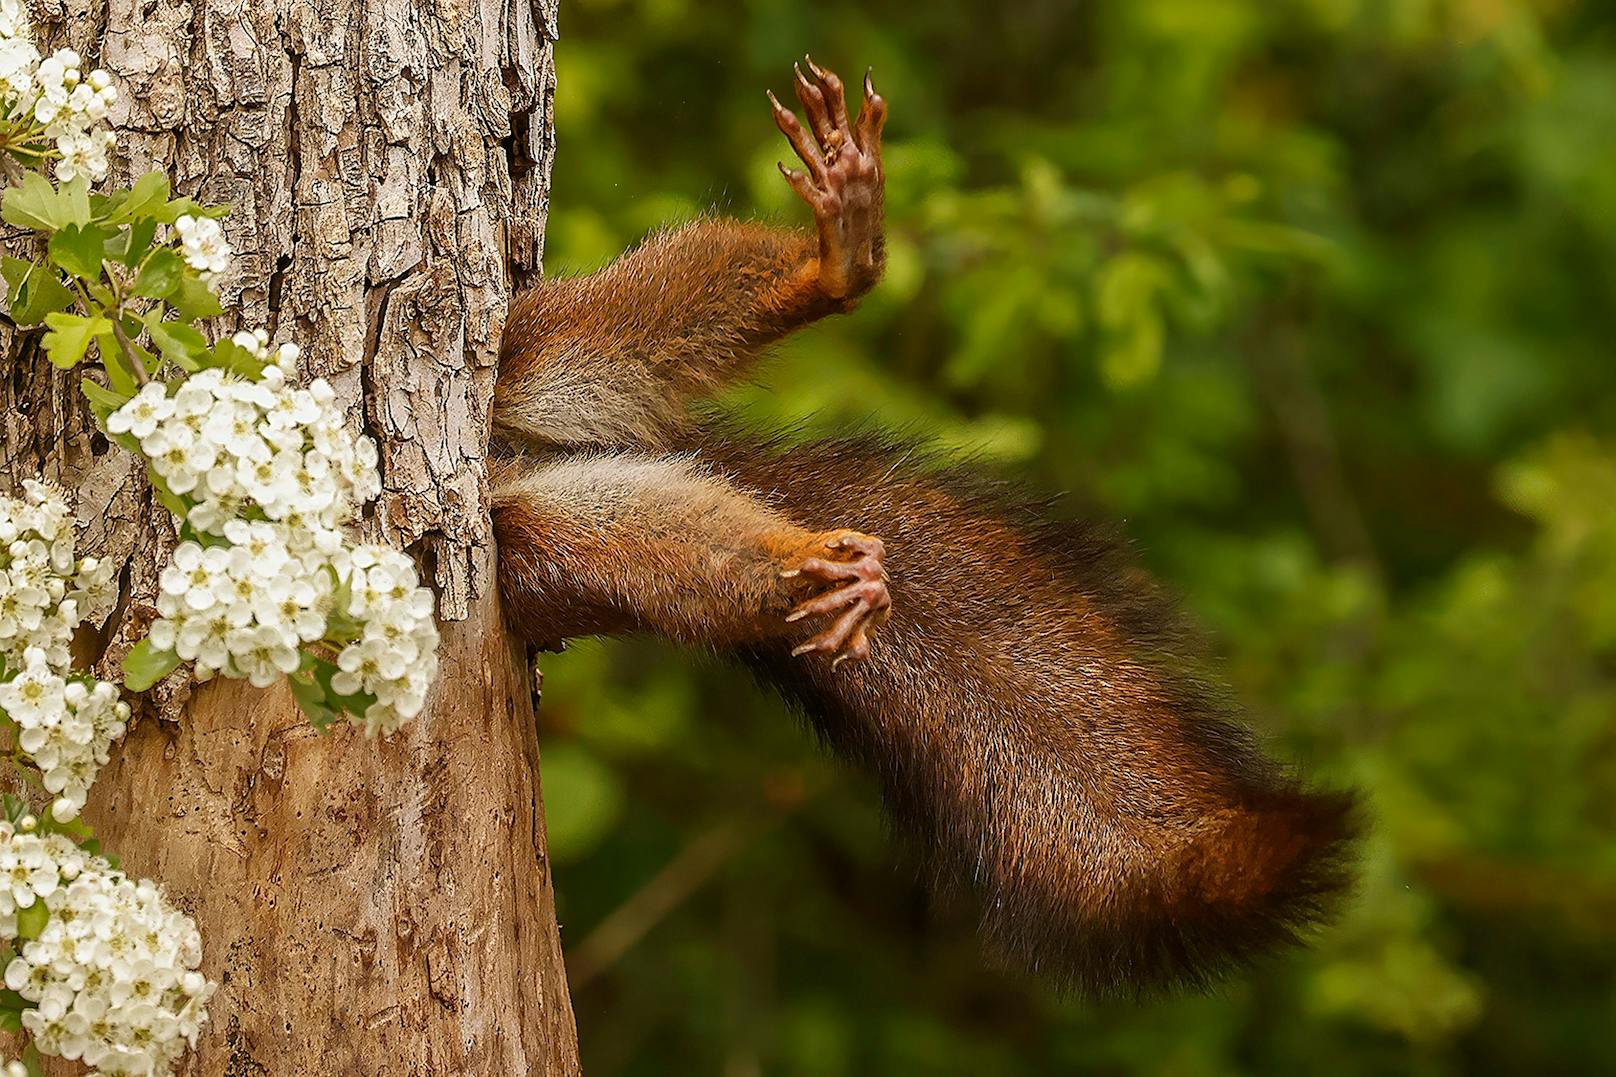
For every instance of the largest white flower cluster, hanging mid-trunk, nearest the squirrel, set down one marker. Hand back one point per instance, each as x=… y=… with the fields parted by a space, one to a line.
x=274 y=478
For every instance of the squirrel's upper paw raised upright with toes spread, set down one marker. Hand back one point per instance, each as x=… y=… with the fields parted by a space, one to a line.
x=844 y=180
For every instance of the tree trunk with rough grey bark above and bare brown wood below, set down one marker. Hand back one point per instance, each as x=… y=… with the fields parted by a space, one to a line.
x=368 y=908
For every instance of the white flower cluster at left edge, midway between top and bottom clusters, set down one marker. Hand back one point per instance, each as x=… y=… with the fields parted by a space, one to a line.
x=64 y=724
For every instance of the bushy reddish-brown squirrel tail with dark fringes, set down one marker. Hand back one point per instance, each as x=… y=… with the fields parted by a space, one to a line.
x=1043 y=740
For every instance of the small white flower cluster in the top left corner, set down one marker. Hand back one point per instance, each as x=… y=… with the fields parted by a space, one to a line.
x=56 y=96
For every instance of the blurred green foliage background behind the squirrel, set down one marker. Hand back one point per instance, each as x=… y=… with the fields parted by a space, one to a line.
x=1318 y=297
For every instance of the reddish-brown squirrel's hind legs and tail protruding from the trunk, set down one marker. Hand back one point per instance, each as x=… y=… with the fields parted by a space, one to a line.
x=1012 y=682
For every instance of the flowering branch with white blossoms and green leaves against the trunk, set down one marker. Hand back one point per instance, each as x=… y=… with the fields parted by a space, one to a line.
x=266 y=484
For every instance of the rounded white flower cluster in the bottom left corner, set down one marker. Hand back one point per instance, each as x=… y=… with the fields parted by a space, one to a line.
x=114 y=974
